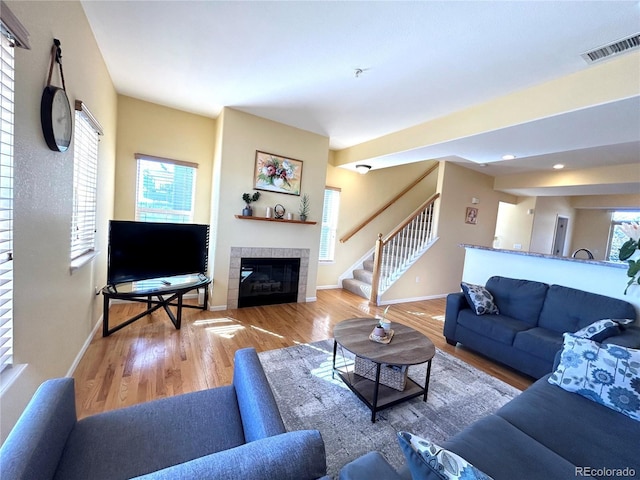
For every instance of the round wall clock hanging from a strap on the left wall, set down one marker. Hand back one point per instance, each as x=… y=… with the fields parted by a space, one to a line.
x=55 y=111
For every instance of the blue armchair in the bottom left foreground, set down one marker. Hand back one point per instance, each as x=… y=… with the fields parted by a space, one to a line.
x=230 y=432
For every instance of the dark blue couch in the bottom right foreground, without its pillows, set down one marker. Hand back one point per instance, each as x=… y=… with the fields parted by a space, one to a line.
x=545 y=433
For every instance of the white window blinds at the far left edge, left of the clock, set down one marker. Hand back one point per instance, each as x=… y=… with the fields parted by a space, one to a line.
x=6 y=202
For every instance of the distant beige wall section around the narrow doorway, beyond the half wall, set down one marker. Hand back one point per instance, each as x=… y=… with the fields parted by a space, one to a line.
x=548 y=209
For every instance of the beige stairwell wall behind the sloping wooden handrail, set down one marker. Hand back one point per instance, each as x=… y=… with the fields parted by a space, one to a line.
x=361 y=196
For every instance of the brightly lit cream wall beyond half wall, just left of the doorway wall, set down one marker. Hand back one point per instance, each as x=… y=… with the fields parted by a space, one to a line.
x=515 y=224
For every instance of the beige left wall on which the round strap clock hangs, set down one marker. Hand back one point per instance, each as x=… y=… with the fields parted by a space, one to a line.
x=54 y=310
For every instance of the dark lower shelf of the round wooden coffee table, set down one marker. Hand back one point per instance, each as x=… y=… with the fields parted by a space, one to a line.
x=365 y=390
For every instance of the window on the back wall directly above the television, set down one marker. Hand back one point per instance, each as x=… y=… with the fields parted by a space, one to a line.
x=165 y=190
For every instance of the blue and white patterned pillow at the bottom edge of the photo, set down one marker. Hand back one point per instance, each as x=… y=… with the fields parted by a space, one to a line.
x=429 y=461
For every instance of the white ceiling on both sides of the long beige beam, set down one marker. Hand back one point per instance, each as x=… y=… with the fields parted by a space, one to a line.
x=294 y=62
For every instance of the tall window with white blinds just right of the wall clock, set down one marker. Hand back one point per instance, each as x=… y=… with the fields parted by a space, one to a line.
x=85 y=184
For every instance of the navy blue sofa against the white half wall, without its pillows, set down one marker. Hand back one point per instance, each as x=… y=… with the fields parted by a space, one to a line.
x=527 y=332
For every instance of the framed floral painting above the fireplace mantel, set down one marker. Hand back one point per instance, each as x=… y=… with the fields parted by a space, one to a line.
x=275 y=173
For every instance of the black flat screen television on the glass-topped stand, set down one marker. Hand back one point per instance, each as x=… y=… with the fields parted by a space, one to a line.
x=144 y=250
